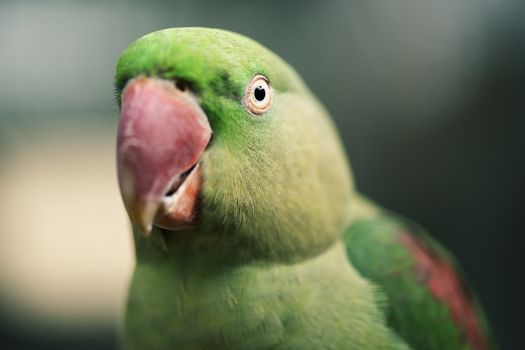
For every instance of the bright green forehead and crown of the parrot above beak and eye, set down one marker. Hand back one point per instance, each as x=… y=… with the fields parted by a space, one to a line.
x=208 y=58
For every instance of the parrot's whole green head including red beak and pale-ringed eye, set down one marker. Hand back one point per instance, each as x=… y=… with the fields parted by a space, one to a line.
x=223 y=149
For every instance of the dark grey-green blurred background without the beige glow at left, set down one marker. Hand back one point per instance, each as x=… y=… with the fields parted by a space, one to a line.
x=428 y=96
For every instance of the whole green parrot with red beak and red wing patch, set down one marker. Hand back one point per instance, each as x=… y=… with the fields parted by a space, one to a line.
x=249 y=232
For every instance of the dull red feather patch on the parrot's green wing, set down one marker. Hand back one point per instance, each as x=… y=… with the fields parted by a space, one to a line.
x=448 y=288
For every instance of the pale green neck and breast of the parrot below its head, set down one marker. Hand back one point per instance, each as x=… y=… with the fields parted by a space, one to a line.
x=194 y=299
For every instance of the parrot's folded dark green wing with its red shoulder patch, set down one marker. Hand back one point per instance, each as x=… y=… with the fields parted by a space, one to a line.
x=428 y=302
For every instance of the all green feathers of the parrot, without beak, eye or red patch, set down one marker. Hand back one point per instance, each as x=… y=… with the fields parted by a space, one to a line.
x=286 y=255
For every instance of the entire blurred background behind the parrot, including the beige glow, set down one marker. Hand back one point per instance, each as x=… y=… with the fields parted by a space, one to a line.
x=428 y=96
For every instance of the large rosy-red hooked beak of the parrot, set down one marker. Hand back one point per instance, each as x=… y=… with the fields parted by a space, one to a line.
x=162 y=134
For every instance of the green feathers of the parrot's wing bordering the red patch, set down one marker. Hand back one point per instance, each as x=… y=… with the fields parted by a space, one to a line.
x=375 y=248
